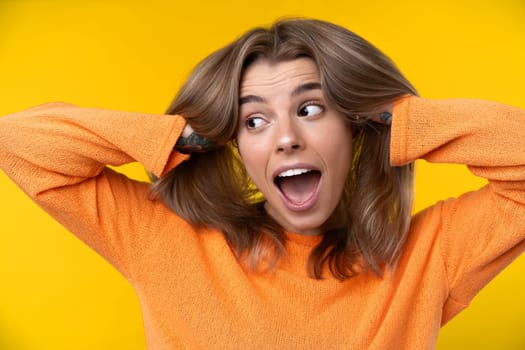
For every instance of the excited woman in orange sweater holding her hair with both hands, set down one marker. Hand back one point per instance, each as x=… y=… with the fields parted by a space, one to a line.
x=280 y=212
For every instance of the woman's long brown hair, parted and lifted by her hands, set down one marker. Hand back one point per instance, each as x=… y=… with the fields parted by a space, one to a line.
x=369 y=226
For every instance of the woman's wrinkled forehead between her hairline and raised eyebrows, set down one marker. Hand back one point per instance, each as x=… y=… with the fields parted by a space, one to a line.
x=264 y=74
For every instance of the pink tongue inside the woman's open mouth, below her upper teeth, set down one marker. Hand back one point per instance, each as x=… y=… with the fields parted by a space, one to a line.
x=299 y=188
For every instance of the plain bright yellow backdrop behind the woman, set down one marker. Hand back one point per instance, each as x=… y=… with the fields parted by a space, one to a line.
x=133 y=55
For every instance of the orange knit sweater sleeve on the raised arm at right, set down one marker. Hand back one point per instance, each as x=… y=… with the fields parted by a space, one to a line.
x=480 y=232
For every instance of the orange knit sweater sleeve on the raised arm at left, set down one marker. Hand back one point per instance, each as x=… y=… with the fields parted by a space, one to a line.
x=58 y=154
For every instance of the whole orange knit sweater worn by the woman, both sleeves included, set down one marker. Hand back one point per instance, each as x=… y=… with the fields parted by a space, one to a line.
x=194 y=294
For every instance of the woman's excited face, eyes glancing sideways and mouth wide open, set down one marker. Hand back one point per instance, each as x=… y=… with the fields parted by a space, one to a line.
x=295 y=146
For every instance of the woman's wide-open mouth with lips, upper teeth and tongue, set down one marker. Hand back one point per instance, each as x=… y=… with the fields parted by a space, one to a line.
x=299 y=187
